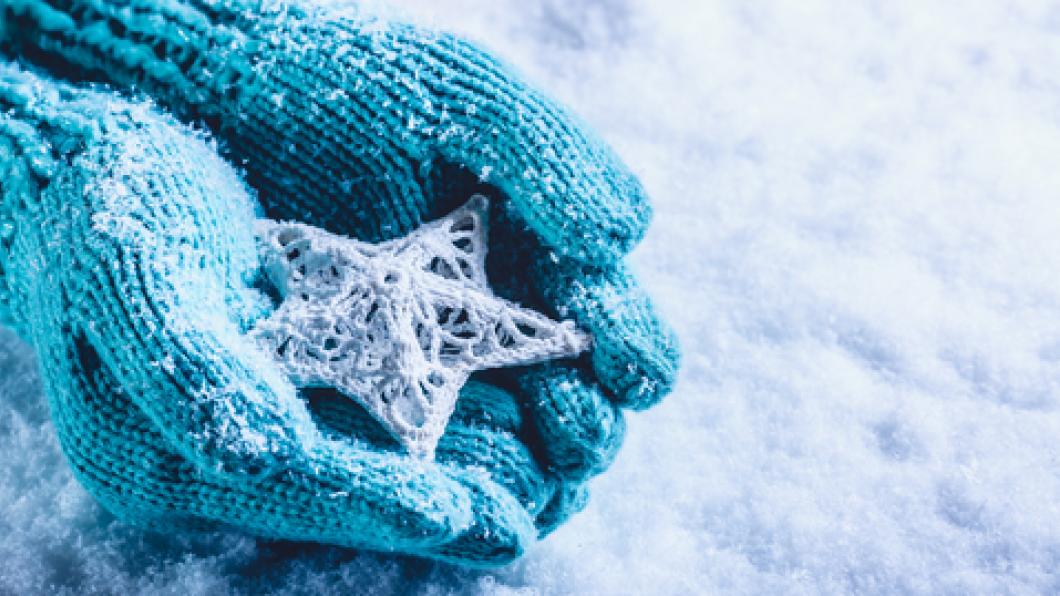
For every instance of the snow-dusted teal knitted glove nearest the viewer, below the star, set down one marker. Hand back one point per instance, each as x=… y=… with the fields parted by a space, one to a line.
x=128 y=262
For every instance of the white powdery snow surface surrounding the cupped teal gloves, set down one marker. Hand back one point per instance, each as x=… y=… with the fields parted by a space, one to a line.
x=858 y=236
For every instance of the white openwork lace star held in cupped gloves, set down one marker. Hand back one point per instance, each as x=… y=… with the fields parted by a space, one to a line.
x=399 y=326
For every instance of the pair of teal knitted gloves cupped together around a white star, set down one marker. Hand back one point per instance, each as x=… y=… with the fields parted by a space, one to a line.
x=128 y=260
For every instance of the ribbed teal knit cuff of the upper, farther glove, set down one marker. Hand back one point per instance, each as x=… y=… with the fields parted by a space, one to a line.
x=190 y=56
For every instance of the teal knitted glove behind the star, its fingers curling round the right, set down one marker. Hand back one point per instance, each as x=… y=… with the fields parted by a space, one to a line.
x=404 y=125
